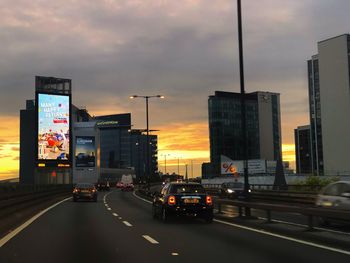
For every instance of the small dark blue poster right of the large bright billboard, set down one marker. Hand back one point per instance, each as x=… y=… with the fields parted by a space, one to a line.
x=85 y=151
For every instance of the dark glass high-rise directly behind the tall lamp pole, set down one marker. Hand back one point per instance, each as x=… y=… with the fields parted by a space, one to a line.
x=263 y=126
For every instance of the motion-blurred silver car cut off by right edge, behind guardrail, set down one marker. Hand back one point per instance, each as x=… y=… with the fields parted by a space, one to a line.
x=334 y=196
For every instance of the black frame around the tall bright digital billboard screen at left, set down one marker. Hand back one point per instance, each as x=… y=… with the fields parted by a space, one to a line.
x=42 y=163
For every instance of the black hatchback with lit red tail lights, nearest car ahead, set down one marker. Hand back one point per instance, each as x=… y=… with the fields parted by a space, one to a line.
x=183 y=199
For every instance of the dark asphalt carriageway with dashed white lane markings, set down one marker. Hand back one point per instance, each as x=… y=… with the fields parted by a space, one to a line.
x=119 y=228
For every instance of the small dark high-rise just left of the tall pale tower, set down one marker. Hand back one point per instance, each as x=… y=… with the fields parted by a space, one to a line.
x=303 y=157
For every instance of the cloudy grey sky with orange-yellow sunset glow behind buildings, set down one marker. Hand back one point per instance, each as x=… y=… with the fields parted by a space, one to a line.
x=182 y=49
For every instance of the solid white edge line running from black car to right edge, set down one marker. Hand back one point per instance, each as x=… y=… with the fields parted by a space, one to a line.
x=285 y=237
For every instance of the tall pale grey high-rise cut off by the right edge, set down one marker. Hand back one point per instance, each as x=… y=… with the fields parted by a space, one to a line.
x=329 y=93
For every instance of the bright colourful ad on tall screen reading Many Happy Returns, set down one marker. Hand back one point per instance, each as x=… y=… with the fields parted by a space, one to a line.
x=53 y=127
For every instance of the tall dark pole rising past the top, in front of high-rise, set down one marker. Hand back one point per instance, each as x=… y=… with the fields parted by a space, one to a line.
x=243 y=109
